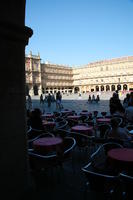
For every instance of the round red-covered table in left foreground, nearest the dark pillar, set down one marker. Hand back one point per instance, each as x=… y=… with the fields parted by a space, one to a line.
x=47 y=144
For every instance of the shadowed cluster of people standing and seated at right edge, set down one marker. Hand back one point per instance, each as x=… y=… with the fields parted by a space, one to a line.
x=125 y=111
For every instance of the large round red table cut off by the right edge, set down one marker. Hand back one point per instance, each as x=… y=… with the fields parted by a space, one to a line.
x=121 y=158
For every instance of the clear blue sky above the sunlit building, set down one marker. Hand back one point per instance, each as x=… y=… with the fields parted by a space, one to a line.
x=76 y=32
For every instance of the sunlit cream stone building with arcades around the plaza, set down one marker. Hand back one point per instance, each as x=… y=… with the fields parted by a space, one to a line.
x=106 y=75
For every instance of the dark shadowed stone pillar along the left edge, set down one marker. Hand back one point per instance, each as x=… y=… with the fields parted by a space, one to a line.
x=13 y=145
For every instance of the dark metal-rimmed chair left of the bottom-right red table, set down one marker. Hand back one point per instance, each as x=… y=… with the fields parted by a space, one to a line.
x=99 y=176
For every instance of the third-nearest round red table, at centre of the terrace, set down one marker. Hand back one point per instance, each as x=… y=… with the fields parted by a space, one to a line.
x=83 y=129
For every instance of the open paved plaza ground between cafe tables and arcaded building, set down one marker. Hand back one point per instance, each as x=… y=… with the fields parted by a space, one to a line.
x=78 y=103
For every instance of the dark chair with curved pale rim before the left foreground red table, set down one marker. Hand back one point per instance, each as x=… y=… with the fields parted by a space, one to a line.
x=42 y=162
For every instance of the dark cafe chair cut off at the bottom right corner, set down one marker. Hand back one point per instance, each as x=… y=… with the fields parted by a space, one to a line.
x=126 y=179
